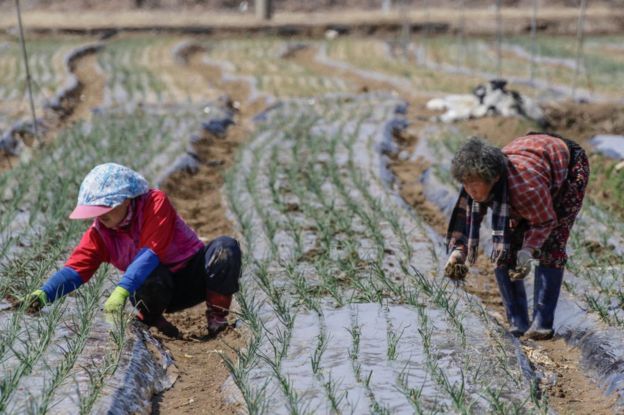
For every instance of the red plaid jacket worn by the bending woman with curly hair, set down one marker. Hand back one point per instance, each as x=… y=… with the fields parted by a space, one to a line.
x=537 y=167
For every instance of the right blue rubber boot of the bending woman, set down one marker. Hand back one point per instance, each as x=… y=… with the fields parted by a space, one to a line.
x=545 y=297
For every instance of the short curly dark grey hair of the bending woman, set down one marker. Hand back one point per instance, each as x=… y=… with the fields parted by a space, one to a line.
x=478 y=160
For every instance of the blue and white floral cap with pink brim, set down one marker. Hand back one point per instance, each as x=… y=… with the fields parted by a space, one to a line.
x=105 y=187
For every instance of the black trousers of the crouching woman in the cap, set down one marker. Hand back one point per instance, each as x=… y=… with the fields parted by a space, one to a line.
x=216 y=267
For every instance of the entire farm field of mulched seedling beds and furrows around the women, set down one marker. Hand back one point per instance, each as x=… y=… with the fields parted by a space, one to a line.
x=321 y=158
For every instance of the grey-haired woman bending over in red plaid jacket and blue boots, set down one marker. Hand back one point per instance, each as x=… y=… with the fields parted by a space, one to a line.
x=535 y=187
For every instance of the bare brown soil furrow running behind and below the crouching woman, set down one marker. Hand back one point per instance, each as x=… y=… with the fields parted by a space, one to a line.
x=197 y=197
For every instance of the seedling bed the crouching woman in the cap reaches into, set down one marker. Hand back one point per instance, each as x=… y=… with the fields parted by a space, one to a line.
x=63 y=358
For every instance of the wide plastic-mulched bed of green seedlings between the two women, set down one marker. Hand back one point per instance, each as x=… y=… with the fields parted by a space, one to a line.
x=346 y=311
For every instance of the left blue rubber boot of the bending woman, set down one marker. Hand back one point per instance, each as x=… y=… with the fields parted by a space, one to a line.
x=514 y=299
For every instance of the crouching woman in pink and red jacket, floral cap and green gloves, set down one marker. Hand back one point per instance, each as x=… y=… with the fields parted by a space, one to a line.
x=166 y=267
